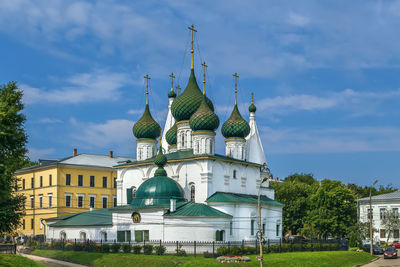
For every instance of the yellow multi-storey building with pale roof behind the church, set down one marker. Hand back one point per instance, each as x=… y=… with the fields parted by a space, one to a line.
x=62 y=187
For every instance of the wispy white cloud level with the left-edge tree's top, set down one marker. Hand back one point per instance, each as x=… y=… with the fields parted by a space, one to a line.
x=85 y=87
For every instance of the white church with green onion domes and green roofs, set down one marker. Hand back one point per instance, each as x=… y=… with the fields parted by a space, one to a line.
x=182 y=190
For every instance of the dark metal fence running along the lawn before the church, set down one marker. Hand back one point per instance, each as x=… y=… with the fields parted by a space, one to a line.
x=208 y=249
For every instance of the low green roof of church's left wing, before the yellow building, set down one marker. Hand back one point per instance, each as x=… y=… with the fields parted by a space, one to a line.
x=89 y=218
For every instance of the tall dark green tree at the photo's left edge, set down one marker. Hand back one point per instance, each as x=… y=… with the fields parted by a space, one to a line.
x=12 y=155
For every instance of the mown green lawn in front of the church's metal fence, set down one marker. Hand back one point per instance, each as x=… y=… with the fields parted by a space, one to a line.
x=324 y=258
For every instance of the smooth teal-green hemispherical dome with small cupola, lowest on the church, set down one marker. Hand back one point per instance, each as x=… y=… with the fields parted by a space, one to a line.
x=158 y=191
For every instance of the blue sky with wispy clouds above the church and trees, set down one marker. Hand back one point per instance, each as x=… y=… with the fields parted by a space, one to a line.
x=325 y=76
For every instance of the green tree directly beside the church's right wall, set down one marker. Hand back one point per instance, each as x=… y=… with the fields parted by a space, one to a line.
x=294 y=193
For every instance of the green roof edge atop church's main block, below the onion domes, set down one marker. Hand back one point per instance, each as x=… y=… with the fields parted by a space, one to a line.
x=185 y=155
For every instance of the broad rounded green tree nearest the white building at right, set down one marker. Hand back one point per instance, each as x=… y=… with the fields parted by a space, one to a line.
x=332 y=211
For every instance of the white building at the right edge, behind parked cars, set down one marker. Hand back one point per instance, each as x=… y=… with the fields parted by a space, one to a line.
x=381 y=204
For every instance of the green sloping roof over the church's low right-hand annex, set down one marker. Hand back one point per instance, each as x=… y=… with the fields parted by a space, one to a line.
x=240 y=198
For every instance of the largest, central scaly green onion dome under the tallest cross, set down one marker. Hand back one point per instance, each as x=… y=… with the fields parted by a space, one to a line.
x=185 y=105
